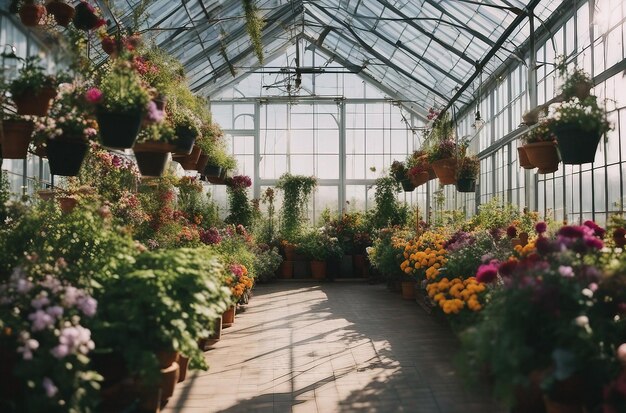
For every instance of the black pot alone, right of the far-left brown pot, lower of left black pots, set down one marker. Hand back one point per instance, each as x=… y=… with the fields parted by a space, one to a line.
x=65 y=155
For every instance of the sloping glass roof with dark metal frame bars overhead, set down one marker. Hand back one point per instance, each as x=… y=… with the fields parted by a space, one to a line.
x=423 y=51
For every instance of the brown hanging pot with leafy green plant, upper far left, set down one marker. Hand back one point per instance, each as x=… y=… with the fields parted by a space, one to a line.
x=33 y=89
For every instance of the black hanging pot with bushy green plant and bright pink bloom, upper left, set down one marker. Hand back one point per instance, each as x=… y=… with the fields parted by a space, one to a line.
x=121 y=101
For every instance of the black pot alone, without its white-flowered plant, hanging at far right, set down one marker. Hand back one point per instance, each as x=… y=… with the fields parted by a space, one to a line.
x=576 y=146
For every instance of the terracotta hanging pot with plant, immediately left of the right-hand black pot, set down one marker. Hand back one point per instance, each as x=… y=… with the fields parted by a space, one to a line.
x=540 y=146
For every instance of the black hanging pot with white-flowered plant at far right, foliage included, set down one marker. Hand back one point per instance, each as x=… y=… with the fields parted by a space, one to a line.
x=578 y=126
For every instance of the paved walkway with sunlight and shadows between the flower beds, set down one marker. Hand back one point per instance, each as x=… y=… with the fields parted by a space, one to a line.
x=336 y=347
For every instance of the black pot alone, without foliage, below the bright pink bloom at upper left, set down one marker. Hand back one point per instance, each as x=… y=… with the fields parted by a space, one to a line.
x=119 y=130
